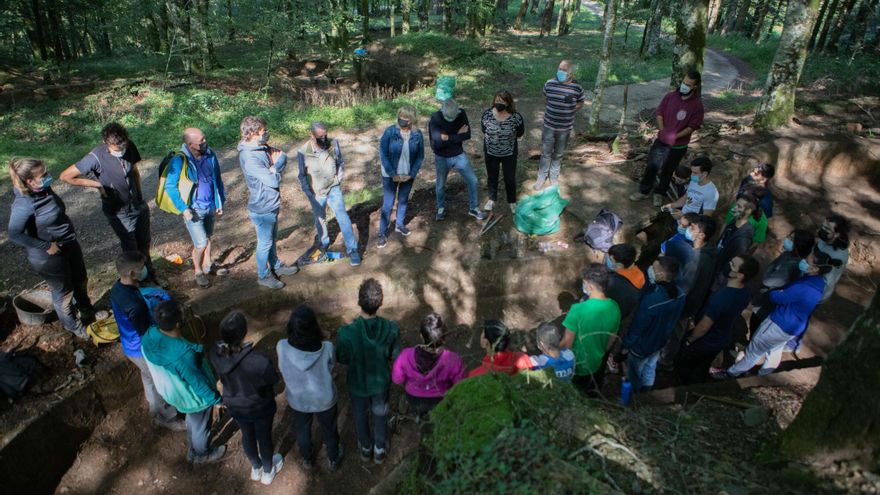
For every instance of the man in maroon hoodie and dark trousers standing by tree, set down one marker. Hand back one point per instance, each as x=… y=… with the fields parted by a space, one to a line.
x=679 y=115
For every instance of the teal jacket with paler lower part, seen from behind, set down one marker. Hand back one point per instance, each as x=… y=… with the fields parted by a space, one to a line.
x=180 y=371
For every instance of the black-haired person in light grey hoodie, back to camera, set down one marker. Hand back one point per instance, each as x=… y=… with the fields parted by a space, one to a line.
x=306 y=360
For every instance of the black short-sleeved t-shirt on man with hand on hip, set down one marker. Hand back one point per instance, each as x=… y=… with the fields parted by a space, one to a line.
x=121 y=188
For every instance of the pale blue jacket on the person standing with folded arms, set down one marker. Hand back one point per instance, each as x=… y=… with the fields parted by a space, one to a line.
x=263 y=185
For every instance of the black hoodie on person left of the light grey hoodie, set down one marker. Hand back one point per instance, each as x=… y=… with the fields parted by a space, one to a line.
x=248 y=379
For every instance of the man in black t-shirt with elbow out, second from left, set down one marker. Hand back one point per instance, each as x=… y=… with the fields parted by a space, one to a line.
x=117 y=178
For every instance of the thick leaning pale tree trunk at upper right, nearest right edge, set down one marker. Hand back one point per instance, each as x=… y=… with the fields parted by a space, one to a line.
x=777 y=105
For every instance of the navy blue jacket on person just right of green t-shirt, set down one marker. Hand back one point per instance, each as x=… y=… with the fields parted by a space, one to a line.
x=654 y=320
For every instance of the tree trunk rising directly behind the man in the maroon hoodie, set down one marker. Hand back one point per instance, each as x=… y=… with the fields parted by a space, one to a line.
x=690 y=38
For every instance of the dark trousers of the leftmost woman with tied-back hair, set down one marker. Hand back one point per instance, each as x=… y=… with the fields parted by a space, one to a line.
x=65 y=273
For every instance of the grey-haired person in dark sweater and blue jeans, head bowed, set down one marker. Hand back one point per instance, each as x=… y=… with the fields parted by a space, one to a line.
x=449 y=128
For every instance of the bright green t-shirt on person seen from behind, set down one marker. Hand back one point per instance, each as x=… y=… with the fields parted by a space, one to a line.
x=593 y=322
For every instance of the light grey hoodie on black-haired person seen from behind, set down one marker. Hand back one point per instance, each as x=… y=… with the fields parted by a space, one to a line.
x=308 y=377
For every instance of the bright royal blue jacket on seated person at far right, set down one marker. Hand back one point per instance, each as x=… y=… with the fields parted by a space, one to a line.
x=795 y=302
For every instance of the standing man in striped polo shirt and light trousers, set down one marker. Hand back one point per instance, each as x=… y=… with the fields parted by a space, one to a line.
x=564 y=97
